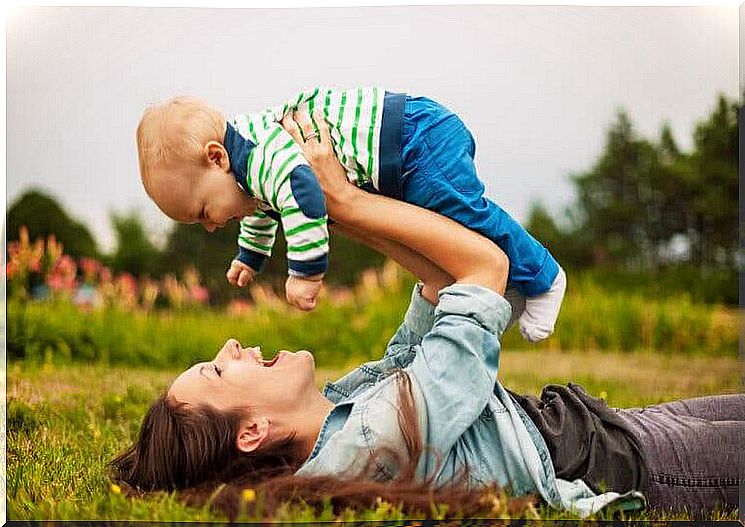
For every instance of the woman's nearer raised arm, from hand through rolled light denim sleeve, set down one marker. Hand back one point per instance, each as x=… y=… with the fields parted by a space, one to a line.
x=455 y=367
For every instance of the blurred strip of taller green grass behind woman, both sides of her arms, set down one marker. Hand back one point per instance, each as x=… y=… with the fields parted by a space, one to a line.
x=348 y=327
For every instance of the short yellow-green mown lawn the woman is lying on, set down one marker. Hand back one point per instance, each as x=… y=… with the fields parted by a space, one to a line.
x=66 y=421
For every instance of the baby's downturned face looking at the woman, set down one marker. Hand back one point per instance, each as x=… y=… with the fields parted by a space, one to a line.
x=209 y=196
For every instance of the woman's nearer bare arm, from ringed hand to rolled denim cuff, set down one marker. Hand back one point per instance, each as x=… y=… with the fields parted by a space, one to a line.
x=463 y=254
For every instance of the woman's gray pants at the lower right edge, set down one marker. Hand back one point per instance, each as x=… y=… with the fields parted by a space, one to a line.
x=695 y=451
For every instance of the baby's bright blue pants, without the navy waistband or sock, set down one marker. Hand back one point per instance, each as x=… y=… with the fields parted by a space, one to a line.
x=438 y=173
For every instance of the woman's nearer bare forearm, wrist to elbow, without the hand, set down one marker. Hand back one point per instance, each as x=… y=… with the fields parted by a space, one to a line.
x=460 y=253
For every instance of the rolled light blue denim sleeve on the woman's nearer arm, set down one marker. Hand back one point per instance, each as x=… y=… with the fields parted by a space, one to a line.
x=456 y=368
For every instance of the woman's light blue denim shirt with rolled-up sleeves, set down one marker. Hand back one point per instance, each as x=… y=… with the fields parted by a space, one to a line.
x=451 y=353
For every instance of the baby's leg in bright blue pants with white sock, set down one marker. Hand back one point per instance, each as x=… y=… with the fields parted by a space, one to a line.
x=440 y=175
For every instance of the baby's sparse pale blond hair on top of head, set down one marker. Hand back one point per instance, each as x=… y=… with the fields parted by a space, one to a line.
x=176 y=130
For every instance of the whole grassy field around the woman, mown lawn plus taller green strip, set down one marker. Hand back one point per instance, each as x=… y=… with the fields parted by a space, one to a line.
x=80 y=380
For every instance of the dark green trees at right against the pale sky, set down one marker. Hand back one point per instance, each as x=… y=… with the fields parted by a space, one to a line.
x=640 y=198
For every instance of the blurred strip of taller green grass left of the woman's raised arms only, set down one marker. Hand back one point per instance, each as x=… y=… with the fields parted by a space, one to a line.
x=59 y=332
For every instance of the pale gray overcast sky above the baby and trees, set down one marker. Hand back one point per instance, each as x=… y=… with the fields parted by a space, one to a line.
x=536 y=85
